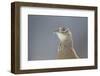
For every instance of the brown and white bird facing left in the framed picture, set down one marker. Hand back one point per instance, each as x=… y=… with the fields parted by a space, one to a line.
x=65 y=48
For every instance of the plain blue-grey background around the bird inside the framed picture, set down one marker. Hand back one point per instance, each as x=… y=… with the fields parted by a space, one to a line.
x=43 y=43
